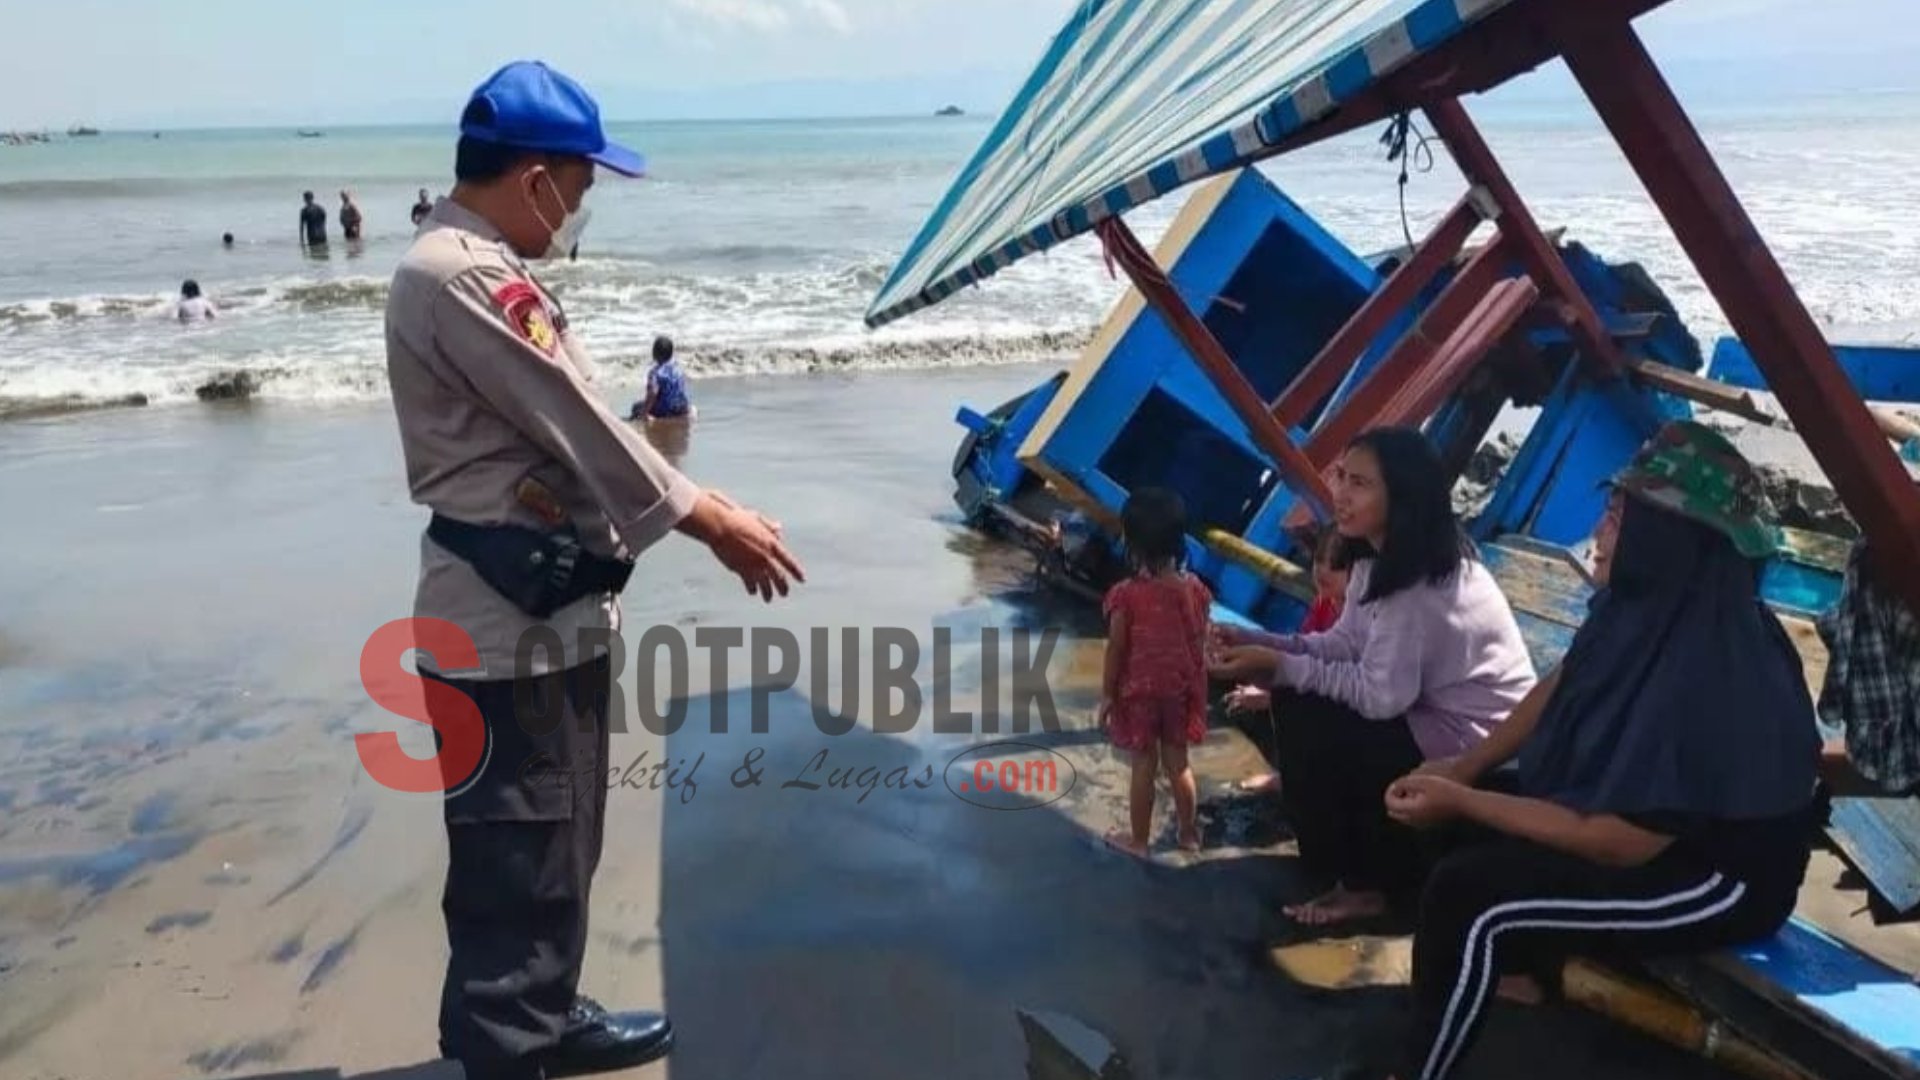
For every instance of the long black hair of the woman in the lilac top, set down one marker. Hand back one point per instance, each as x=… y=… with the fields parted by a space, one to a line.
x=1426 y=541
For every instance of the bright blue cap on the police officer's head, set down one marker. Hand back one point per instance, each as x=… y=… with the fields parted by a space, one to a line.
x=537 y=109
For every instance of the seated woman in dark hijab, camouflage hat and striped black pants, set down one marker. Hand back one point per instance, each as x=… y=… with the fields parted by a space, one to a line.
x=1668 y=770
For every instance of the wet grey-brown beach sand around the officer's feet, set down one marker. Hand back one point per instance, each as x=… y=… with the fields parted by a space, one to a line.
x=199 y=879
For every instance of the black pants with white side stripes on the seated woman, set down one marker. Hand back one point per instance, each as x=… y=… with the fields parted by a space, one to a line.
x=1508 y=908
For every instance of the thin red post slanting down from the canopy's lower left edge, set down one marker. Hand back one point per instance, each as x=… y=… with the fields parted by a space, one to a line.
x=1153 y=283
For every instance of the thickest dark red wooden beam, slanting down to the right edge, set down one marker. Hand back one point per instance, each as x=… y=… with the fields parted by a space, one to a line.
x=1756 y=295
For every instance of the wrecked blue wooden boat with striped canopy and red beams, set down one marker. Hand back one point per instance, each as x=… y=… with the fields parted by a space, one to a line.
x=1253 y=347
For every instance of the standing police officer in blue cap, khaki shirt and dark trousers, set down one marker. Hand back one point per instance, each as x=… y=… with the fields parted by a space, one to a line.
x=542 y=499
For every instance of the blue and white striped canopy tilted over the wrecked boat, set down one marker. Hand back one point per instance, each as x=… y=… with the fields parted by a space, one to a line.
x=1140 y=97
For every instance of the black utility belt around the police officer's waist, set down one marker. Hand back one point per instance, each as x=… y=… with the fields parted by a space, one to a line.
x=539 y=572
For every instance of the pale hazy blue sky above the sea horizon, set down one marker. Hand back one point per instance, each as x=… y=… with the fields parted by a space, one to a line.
x=222 y=62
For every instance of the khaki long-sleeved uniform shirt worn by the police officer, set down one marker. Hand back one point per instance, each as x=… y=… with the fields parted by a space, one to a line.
x=494 y=391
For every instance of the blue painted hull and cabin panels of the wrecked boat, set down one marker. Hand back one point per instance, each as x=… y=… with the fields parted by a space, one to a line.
x=1274 y=287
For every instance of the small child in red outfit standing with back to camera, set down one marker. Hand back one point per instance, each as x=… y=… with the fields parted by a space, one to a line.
x=1155 y=693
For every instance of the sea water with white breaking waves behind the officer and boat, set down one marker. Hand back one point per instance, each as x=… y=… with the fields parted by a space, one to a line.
x=759 y=245
